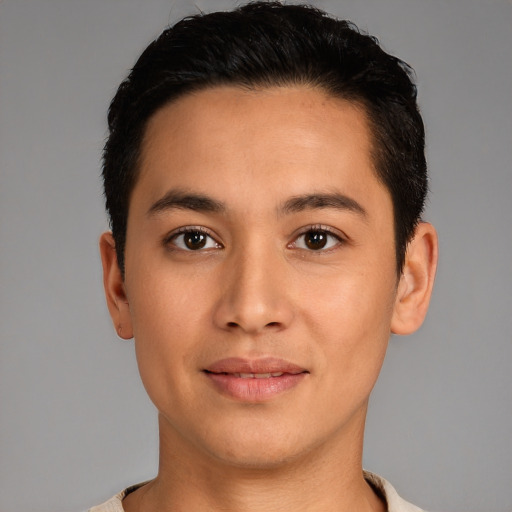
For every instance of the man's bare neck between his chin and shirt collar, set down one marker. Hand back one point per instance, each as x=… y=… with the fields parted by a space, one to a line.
x=325 y=479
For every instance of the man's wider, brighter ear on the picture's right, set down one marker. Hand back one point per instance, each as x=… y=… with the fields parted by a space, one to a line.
x=417 y=280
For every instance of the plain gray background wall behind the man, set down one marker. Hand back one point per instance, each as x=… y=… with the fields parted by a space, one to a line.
x=75 y=424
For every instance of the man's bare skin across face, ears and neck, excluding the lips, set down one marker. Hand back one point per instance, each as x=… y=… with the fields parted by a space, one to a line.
x=256 y=289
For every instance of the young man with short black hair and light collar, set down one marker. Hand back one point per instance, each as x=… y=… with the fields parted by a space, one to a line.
x=265 y=177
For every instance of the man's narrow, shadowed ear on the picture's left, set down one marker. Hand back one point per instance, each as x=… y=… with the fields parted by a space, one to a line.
x=113 y=283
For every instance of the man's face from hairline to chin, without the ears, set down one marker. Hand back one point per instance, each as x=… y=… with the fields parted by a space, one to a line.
x=260 y=272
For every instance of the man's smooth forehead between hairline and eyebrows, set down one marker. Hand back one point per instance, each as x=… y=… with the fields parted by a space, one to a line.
x=229 y=141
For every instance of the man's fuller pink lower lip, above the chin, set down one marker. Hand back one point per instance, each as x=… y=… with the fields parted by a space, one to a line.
x=252 y=389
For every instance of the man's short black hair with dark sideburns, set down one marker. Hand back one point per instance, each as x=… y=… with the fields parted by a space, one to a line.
x=268 y=44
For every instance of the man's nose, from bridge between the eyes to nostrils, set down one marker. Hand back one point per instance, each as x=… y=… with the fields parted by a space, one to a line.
x=254 y=294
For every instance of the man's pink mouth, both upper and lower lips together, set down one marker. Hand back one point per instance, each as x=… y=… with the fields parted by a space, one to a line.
x=254 y=380
